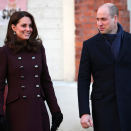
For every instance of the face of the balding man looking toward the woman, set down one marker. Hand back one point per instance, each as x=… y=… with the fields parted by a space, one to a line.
x=106 y=24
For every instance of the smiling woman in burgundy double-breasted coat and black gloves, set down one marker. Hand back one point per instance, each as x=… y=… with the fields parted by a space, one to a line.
x=23 y=63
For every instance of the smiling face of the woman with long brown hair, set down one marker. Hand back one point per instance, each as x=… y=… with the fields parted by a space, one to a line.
x=23 y=29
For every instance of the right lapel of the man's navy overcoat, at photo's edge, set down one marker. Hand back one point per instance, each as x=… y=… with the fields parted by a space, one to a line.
x=124 y=46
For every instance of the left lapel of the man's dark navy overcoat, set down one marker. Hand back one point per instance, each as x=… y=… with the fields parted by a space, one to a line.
x=103 y=46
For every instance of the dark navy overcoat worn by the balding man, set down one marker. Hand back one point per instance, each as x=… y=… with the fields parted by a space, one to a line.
x=111 y=93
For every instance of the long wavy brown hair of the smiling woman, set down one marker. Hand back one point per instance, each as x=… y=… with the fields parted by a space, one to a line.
x=32 y=44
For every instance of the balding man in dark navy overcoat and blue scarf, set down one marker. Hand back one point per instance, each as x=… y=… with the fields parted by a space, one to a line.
x=107 y=56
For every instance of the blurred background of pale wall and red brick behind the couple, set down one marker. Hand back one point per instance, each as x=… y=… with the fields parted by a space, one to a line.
x=63 y=25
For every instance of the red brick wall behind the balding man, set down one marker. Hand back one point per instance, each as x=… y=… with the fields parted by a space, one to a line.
x=85 y=22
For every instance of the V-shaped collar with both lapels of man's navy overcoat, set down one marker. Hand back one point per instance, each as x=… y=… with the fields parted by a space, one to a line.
x=126 y=42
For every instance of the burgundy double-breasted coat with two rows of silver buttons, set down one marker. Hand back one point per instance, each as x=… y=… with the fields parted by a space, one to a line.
x=29 y=84
